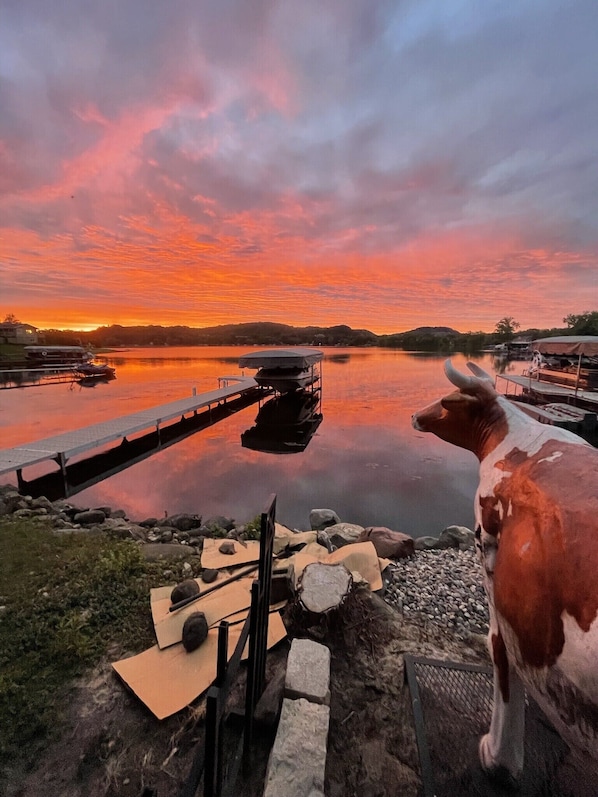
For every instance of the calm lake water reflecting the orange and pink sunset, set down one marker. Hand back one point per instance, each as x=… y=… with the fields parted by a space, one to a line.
x=365 y=460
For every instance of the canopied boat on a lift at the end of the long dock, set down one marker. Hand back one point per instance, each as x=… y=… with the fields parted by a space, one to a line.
x=285 y=370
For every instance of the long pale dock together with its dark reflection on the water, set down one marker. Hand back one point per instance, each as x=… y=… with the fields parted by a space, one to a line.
x=158 y=427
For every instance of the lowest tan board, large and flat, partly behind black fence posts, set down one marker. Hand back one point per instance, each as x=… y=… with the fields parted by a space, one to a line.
x=168 y=680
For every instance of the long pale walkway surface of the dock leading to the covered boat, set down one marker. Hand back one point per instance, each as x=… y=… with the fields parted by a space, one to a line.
x=62 y=447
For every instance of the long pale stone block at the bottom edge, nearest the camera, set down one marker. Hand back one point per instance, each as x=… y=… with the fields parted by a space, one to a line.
x=298 y=758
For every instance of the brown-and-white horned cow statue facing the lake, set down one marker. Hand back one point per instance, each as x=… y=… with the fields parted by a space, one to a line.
x=536 y=512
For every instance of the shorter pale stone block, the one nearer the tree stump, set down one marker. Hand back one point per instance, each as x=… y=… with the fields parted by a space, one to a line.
x=308 y=671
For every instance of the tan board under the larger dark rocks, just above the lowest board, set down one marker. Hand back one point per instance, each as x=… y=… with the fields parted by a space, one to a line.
x=231 y=597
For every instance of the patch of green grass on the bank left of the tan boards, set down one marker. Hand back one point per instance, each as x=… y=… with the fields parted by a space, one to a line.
x=67 y=599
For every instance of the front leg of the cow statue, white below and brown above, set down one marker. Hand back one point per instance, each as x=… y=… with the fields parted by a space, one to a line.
x=501 y=749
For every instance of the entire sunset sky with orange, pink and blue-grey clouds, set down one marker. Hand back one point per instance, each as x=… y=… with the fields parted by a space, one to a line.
x=384 y=164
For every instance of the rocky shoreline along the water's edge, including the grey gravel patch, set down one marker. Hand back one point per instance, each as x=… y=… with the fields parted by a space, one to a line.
x=437 y=581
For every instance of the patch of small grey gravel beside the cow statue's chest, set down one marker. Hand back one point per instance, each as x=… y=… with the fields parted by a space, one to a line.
x=441 y=587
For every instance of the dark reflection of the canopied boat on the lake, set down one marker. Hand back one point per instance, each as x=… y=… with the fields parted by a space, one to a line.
x=285 y=424
